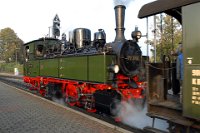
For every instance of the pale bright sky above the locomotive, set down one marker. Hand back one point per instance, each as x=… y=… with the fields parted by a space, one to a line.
x=30 y=19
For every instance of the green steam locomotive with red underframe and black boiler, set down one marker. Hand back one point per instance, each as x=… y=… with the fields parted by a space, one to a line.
x=94 y=74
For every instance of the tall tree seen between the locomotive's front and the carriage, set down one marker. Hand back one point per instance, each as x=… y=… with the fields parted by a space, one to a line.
x=169 y=38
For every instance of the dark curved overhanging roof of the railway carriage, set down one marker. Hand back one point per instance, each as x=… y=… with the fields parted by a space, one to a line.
x=170 y=7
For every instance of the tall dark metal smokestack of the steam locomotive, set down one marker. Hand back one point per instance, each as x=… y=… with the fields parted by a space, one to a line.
x=119 y=18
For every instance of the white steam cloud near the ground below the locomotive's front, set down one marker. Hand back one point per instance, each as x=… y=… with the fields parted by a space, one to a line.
x=136 y=117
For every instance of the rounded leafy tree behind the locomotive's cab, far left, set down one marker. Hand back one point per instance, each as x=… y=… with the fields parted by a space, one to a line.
x=10 y=46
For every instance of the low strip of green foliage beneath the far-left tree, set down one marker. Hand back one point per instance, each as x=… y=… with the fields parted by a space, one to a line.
x=9 y=67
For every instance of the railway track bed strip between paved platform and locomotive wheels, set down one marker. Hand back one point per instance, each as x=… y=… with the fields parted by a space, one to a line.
x=18 y=83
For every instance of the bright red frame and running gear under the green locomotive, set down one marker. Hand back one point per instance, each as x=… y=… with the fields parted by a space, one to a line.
x=71 y=88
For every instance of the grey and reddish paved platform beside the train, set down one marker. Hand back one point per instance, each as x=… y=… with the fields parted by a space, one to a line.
x=23 y=113
